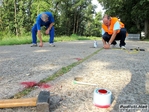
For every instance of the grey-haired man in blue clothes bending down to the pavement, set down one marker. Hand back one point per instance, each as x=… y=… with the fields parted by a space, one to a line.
x=44 y=19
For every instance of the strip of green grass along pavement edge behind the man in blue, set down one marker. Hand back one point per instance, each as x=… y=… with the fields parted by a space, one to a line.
x=28 y=39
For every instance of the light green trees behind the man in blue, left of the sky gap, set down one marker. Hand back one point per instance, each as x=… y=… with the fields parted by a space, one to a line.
x=71 y=16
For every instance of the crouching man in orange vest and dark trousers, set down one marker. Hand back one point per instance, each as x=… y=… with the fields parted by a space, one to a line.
x=112 y=30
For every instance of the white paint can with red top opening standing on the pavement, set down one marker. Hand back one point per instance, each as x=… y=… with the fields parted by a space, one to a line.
x=102 y=98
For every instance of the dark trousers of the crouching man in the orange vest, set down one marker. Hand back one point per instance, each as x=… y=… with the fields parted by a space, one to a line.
x=120 y=36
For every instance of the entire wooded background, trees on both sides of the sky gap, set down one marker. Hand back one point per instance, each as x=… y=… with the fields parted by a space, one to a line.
x=72 y=16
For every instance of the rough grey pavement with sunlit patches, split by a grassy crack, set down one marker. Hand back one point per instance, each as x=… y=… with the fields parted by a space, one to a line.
x=124 y=72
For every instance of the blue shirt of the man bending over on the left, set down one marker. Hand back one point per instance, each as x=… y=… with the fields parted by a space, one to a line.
x=40 y=22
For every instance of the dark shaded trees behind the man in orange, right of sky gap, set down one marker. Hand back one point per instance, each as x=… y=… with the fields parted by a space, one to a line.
x=133 y=13
